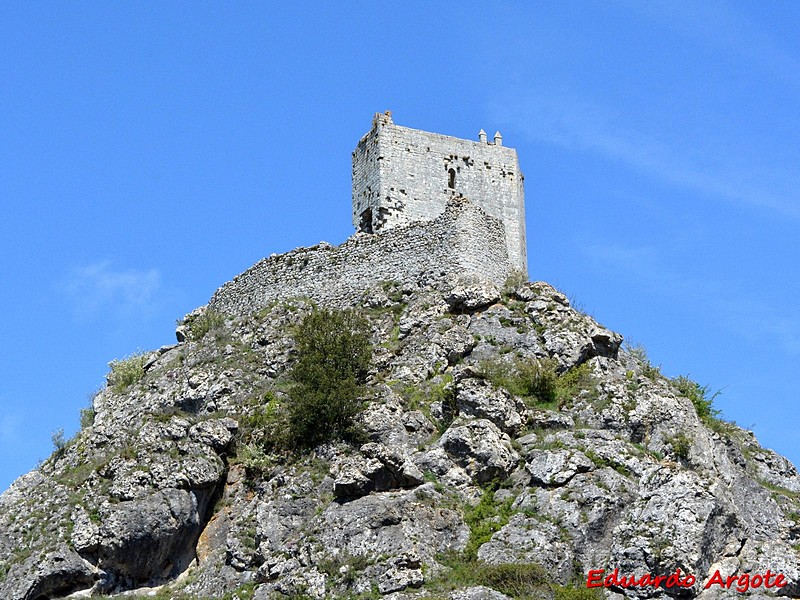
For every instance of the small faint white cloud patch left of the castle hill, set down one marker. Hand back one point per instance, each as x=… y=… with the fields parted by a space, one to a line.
x=98 y=287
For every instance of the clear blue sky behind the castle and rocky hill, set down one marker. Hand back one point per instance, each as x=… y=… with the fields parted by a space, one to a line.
x=150 y=152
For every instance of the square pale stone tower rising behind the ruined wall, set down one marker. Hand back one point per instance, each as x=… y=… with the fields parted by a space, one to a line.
x=402 y=175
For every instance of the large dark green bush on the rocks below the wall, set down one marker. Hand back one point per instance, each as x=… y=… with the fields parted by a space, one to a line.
x=333 y=358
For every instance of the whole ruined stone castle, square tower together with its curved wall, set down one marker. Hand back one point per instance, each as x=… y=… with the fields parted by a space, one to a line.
x=442 y=208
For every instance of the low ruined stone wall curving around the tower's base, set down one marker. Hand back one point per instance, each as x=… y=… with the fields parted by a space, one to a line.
x=463 y=240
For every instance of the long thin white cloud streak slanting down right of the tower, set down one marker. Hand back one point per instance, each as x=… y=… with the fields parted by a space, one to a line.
x=710 y=167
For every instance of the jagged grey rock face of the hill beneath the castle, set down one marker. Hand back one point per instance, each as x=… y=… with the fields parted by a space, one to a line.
x=169 y=485
